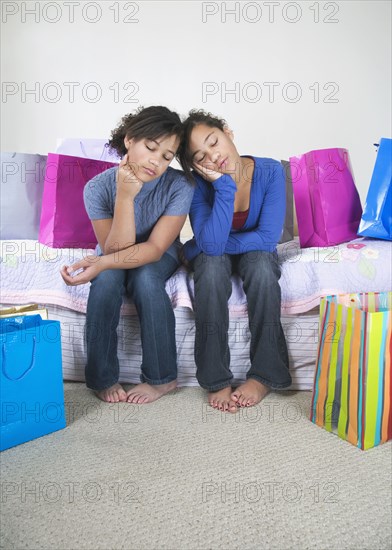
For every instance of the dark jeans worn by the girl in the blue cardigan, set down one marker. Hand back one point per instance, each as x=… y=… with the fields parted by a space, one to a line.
x=260 y=273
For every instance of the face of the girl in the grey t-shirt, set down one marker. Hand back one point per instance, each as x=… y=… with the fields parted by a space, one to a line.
x=149 y=158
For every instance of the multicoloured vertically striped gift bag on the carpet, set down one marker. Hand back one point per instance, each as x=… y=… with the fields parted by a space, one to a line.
x=352 y=388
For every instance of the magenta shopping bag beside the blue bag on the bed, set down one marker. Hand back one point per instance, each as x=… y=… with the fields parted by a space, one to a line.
x=326 y=200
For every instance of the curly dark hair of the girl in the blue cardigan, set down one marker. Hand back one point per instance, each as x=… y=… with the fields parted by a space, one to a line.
x=195 y=117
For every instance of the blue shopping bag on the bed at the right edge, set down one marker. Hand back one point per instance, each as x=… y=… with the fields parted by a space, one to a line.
x=376 y=219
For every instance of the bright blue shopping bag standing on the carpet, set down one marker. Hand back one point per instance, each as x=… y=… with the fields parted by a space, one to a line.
x=31 y=384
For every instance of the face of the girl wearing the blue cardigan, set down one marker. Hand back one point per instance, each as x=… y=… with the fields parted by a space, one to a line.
x=213 y=149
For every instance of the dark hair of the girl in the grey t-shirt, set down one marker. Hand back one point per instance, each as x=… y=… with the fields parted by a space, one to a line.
x=146 y=123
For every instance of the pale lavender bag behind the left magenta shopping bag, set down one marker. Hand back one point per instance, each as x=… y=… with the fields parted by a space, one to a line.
x=89 y=148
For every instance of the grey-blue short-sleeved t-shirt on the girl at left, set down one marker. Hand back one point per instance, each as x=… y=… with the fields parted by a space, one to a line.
x=169 y=195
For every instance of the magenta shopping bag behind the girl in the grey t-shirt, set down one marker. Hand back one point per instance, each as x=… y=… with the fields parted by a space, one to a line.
x=64 y=220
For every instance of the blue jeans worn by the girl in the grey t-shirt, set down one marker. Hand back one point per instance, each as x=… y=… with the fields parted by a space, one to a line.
x=146 y=286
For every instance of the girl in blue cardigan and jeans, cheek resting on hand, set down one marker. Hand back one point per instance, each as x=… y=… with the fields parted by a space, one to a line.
x=237 y=216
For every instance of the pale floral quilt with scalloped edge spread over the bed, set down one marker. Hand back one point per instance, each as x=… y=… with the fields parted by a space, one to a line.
x=30 y=273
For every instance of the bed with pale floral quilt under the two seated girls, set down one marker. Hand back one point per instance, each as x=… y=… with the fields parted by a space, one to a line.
x=30 y=273
